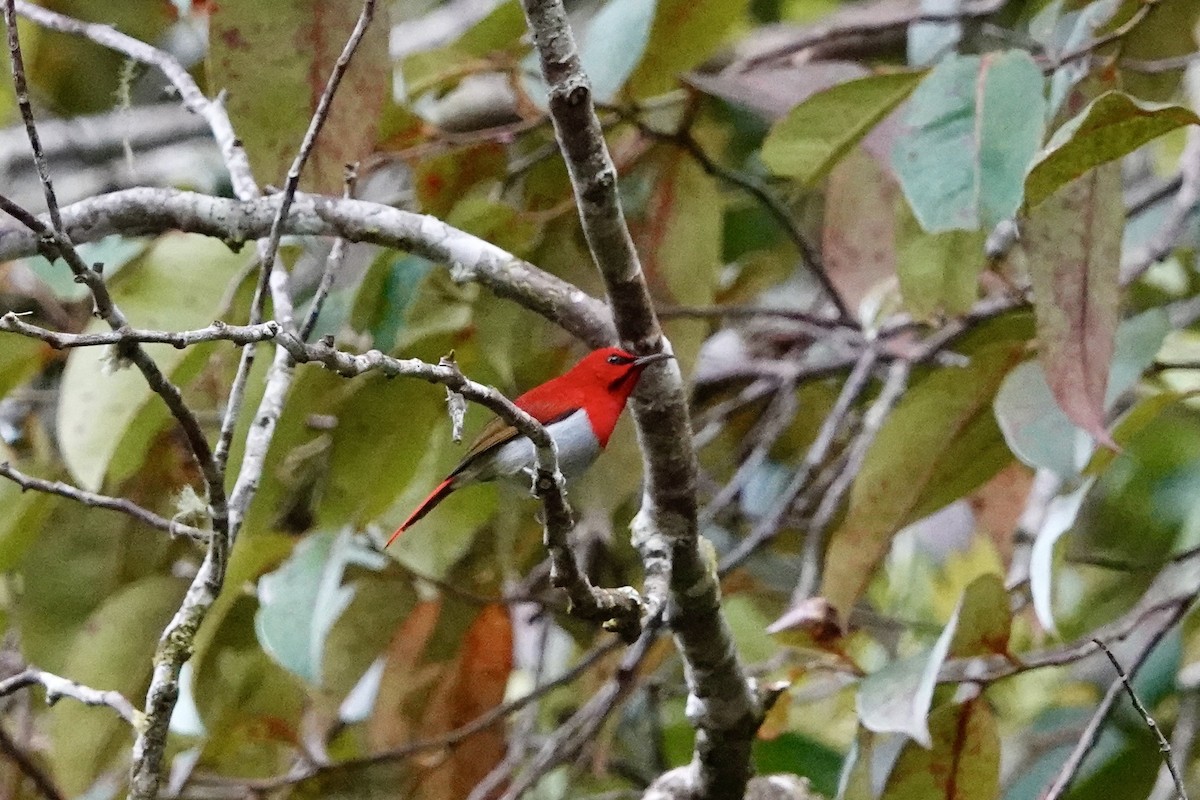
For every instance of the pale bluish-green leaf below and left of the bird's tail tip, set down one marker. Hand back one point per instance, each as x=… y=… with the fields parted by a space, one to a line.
x=302 y=600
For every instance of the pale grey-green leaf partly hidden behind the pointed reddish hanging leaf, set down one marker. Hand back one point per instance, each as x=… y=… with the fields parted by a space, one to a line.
x=1039 y=431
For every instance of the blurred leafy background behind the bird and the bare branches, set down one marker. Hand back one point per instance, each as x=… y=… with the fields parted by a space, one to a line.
x=982 y=526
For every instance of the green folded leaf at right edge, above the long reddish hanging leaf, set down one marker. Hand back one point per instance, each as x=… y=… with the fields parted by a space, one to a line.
x=1113 y=125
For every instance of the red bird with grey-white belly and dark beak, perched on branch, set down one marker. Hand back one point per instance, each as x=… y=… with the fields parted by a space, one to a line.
x=580 y=411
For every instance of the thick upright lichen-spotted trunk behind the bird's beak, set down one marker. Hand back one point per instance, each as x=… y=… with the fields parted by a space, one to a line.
x=722 y=705
